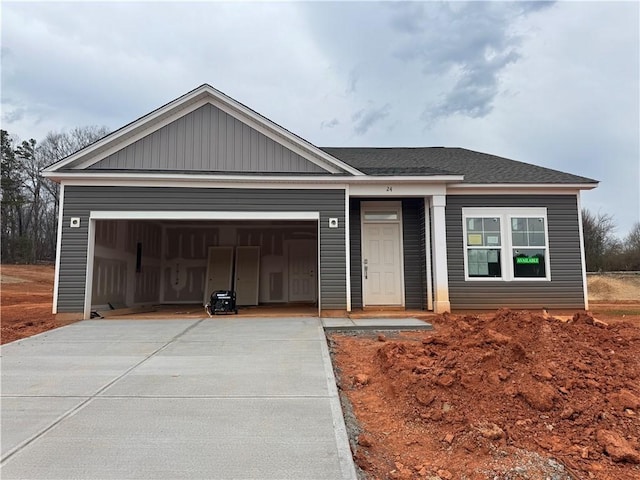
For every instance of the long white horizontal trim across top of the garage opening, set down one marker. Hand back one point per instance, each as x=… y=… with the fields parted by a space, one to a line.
x=205 y=215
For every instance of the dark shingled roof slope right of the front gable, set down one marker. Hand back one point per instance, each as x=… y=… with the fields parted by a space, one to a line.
x=476 y=167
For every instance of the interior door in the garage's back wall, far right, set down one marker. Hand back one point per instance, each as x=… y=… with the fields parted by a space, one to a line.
x=302 y=270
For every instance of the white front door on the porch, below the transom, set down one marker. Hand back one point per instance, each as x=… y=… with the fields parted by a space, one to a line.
x=382 y=264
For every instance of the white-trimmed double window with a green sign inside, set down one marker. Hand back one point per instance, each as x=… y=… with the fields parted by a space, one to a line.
x=506 y=244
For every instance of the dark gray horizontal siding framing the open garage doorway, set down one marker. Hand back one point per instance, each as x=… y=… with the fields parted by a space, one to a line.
x=79 y=201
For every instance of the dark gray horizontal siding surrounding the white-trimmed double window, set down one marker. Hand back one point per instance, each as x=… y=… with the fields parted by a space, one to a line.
x=565 y=290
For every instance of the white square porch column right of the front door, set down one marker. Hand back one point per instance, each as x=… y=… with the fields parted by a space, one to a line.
x=439 y=248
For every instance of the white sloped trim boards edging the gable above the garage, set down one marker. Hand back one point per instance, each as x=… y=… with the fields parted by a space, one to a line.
x=187 y=103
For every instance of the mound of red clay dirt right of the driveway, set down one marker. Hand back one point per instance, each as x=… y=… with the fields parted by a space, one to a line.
x=516 y=396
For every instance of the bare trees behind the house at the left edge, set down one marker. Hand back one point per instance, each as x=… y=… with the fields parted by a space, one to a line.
x=29 y=205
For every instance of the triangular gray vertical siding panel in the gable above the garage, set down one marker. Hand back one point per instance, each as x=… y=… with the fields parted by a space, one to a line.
x=207 y=139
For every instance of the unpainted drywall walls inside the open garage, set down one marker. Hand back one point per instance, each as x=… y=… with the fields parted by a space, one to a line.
x=138 y=262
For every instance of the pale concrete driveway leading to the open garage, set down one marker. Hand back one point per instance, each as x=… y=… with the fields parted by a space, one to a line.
x=218 y=398
